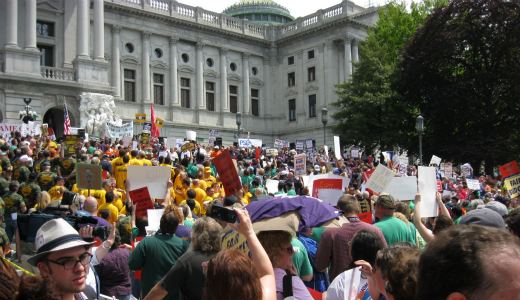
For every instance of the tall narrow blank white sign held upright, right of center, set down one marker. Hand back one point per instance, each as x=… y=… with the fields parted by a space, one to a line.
x=427 y=187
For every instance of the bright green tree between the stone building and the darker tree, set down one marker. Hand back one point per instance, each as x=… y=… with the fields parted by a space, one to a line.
x=370 y=112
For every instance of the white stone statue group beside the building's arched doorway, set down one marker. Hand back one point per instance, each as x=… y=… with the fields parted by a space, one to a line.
x=95 y=111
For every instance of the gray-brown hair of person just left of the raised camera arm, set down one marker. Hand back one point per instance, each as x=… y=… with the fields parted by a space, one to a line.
x=206 y=235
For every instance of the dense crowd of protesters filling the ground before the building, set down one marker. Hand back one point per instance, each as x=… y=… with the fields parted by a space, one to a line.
x=61 y=241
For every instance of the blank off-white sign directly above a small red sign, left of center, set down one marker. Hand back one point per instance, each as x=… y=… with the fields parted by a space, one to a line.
x=155 y=178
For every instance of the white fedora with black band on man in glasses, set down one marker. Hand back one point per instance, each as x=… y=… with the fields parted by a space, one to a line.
x=55 y=235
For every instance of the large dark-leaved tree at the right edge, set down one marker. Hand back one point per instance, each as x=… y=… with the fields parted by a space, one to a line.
x=462 y=70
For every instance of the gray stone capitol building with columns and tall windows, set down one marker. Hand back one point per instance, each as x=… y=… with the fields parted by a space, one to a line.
x=200 y=68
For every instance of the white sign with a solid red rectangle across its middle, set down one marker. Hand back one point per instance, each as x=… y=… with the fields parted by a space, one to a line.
x=327 y=187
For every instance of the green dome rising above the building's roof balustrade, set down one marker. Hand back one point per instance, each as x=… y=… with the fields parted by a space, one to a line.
x=260 y=11
